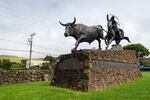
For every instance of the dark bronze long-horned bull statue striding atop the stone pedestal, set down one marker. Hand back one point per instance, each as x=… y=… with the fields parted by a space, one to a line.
x=83 y=33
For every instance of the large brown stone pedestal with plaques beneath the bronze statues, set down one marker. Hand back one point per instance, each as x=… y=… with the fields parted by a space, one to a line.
x=89 y=70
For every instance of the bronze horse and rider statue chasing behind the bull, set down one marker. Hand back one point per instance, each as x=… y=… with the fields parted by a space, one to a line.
x=114 y=32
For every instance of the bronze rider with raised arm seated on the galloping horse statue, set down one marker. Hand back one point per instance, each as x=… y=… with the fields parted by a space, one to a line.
x=112 y=25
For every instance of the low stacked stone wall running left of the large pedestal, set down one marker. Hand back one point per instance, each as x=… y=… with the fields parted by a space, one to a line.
x=20 y=76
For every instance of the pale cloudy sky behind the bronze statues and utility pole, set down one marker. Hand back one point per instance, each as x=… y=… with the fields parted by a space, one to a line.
x=21 y=18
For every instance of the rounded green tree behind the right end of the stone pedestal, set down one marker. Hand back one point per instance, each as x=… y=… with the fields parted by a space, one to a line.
x=138 y=48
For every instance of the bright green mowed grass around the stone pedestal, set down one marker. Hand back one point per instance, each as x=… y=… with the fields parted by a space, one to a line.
x=138 y=89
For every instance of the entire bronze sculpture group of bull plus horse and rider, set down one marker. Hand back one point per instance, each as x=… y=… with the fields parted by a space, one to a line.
x=83 y=33
